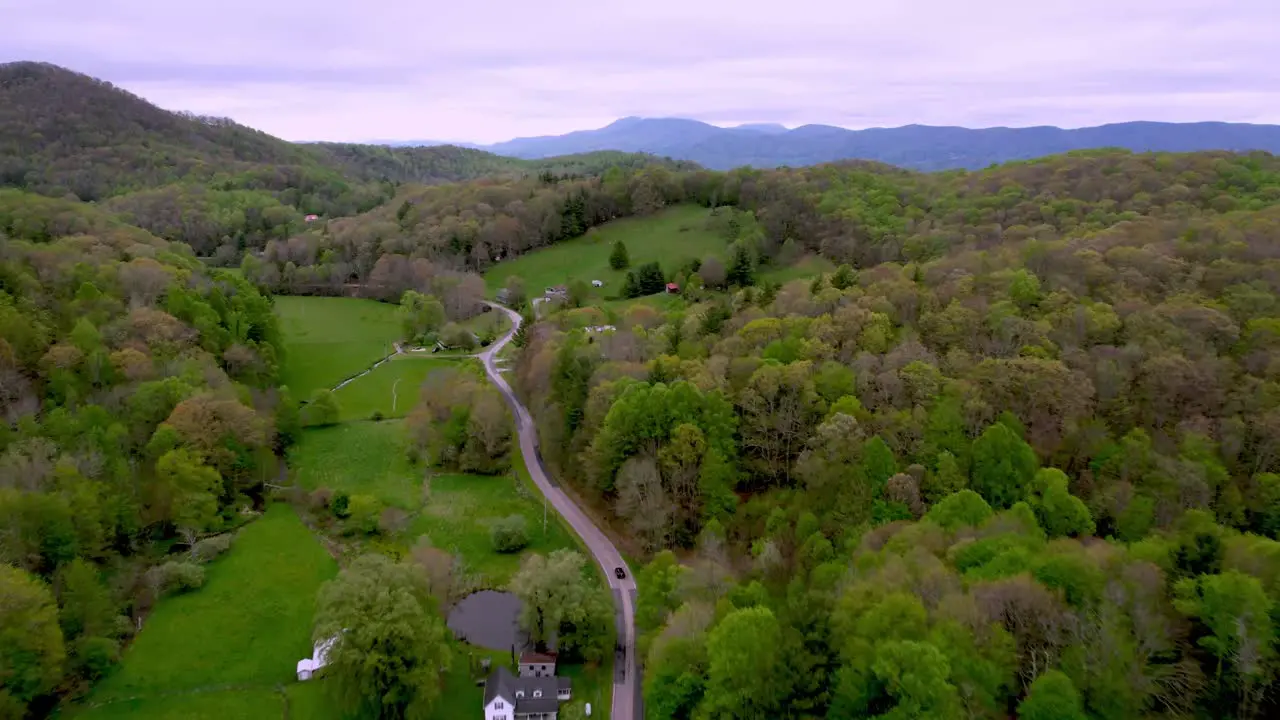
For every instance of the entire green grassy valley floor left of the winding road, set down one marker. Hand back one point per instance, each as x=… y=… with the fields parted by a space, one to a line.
x=230 y=649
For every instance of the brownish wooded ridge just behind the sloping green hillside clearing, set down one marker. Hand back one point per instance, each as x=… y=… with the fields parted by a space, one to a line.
x=467 y=227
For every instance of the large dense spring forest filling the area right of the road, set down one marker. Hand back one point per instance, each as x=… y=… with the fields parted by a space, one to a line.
x=1017 y=454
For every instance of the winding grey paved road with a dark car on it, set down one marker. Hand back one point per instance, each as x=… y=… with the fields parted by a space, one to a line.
x=627 y=696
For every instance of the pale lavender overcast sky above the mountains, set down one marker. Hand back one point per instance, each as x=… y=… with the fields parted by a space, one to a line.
x=486 y=71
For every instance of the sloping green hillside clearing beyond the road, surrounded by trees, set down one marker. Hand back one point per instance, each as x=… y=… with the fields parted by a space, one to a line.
x=671 y=238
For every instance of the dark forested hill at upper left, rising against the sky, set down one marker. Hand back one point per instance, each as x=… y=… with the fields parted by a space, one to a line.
x=209 y=183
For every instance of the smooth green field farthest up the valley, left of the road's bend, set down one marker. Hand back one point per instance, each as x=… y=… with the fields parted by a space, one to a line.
x=331 y=339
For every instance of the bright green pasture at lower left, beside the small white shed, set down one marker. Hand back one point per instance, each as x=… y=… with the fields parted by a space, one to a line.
x=220 y=651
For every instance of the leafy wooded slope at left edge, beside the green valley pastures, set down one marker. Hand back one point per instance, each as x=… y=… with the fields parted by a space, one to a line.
x=140 y=420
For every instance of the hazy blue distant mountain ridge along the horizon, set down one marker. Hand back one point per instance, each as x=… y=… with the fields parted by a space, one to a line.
x=920 y=148
